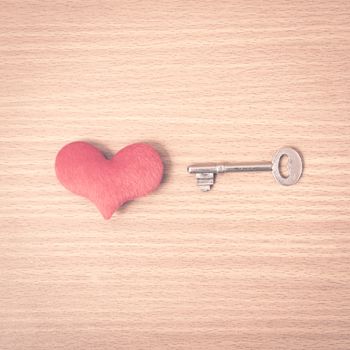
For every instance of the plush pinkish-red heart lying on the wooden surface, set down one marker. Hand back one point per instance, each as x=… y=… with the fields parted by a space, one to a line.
x=134 y=171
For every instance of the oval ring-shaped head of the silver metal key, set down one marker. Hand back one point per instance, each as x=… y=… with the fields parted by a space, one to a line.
x=295 y=166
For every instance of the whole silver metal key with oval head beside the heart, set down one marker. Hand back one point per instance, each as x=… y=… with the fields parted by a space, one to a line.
x=205 y=175
